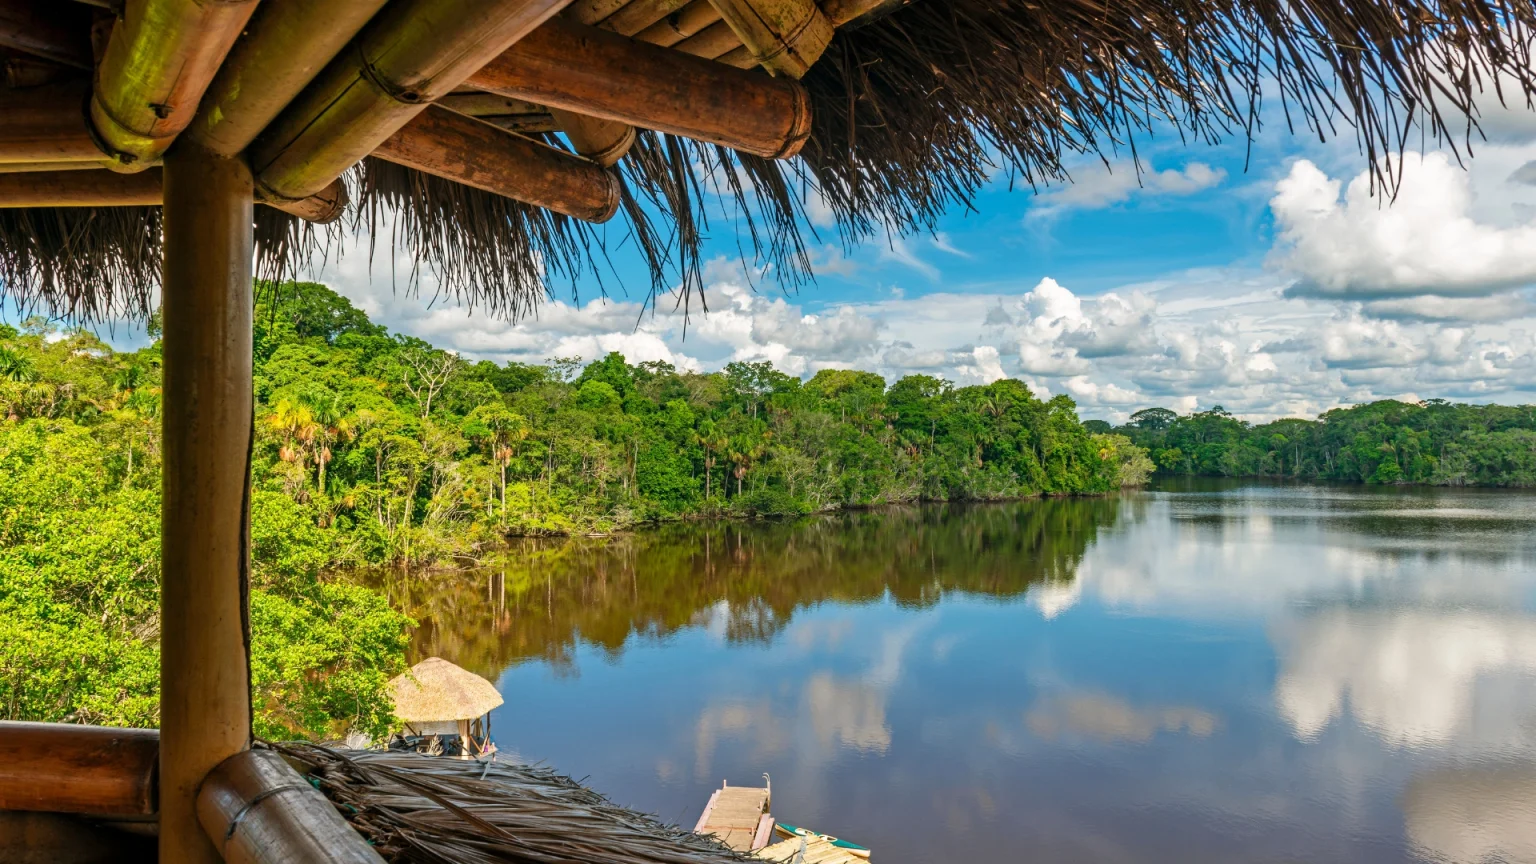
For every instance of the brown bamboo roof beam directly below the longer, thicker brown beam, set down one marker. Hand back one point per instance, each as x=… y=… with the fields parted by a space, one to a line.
x=478 y=155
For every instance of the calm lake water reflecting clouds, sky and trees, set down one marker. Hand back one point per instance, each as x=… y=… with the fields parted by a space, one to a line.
x=1208 y=673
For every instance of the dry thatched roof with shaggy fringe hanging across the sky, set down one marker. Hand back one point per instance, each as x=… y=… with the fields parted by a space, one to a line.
x=912 y=111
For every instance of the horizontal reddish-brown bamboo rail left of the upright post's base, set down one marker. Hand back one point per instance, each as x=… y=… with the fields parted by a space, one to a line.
x=78 y=769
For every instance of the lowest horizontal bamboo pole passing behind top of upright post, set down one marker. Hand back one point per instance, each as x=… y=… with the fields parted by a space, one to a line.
x=64 y=185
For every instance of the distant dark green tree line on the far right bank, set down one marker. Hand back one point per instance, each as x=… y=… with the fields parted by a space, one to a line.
x=1434 y=442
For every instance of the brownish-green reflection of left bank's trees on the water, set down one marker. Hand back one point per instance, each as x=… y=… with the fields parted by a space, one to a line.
x=538 y=599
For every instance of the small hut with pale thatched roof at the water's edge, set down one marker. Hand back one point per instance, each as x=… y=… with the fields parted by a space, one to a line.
x=435 y=697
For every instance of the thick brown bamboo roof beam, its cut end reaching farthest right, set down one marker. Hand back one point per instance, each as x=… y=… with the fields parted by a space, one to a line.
x=603 y=75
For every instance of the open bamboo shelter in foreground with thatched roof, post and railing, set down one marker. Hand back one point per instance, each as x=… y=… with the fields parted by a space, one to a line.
x=171 y=150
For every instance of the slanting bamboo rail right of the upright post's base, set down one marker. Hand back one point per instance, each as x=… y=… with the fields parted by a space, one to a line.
x=259 y=811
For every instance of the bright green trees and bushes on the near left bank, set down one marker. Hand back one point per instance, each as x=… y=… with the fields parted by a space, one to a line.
x=379 y=450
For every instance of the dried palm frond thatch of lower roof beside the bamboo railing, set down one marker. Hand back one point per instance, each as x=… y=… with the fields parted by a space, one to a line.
x=434 y=811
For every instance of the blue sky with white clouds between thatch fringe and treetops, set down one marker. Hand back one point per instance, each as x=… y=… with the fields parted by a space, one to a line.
x=1260 y=279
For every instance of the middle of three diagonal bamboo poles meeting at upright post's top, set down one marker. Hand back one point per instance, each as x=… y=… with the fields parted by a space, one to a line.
x=285 y=47
